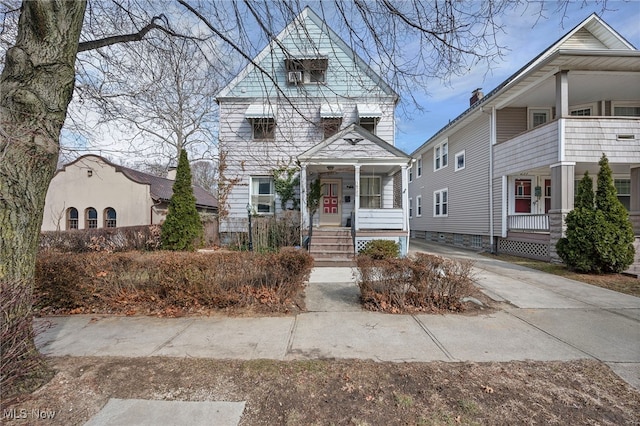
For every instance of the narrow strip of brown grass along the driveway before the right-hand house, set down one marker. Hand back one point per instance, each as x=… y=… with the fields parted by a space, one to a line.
x=617 y=282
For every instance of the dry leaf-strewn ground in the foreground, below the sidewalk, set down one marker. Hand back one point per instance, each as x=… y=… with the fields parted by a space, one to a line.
x=323 y=392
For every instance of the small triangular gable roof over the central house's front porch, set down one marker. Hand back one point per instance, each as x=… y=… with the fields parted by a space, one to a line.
x=354 y=144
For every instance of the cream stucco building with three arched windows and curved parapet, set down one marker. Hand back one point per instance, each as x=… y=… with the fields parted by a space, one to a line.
x=92 y=192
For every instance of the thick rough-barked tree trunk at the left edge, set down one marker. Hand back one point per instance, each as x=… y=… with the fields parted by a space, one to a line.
x=35 y=89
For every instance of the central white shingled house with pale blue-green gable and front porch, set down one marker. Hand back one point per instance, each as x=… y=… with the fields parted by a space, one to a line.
x=313 y=104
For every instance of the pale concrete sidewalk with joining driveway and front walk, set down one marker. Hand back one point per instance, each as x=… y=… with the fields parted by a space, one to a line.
x=546 y=318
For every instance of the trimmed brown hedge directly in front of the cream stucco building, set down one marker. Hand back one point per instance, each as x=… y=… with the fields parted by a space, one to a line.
x=102 y=240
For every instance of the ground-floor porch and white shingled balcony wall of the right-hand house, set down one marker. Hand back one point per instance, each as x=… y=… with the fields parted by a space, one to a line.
x=536 y=199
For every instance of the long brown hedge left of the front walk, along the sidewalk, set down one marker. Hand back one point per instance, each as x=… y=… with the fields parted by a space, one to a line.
x=143 y=283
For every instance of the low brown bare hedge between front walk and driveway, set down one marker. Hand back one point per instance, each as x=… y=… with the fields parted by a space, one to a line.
x=421 y=283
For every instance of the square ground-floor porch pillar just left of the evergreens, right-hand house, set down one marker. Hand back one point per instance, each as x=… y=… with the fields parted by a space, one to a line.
x=562 y=193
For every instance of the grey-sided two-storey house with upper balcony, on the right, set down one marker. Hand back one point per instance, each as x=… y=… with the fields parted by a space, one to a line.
x=502 y=175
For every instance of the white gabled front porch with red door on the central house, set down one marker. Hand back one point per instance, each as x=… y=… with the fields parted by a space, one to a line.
x=364 y=183
